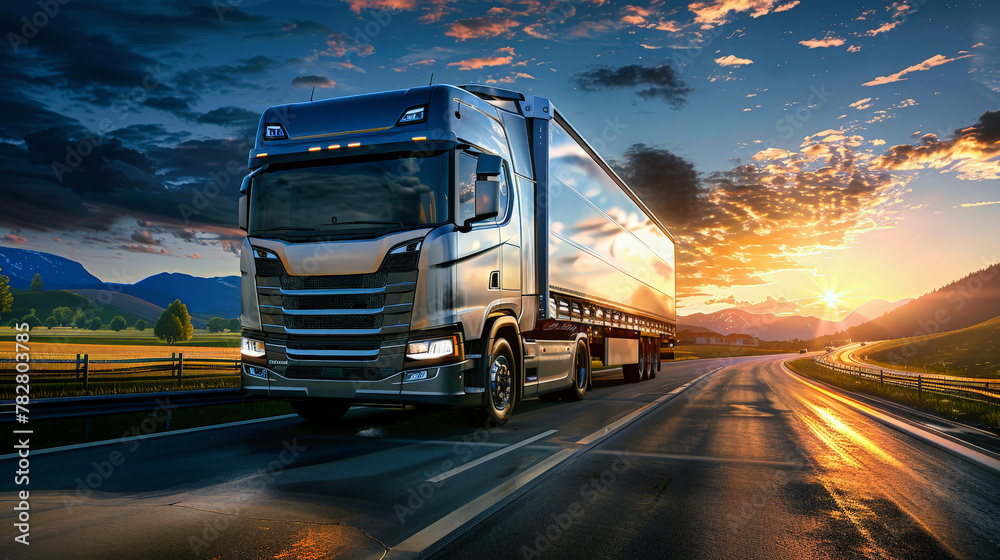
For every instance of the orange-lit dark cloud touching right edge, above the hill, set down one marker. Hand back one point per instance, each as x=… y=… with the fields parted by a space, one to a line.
x=972 y=152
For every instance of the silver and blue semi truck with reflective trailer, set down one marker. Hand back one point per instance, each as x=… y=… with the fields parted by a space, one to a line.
x=448 y=246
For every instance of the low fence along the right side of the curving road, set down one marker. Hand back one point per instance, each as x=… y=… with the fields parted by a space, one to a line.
x=972 y=388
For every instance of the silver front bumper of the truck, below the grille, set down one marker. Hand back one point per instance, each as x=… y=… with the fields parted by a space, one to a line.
x=444 y=385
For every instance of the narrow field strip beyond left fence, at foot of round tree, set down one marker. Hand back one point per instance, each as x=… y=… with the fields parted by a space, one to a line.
x=127 y=337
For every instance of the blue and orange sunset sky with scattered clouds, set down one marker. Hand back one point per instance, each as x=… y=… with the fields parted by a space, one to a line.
x=807 y=156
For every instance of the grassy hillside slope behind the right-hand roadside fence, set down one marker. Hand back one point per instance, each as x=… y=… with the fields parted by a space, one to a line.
x=970 y=352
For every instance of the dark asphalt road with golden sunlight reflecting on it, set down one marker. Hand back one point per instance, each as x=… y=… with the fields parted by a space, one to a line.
x=749 y=462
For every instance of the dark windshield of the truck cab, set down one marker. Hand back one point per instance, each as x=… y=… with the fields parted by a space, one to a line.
x=358 y=196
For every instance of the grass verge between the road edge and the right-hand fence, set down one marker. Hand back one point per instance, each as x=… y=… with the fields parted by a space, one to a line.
x=977 y=413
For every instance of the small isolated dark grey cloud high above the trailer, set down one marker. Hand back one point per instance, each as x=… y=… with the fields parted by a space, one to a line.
x=663 y=82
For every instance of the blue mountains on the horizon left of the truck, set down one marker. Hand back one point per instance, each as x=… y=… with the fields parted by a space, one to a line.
x=218 y=296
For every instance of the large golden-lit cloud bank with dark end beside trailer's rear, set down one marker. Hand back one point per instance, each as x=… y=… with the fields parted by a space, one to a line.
x=735 y=227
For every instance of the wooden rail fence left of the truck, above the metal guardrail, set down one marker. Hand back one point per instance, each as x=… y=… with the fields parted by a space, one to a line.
x=84 y=370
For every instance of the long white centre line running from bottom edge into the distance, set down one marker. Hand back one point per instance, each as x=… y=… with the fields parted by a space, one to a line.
x=471 y=512
